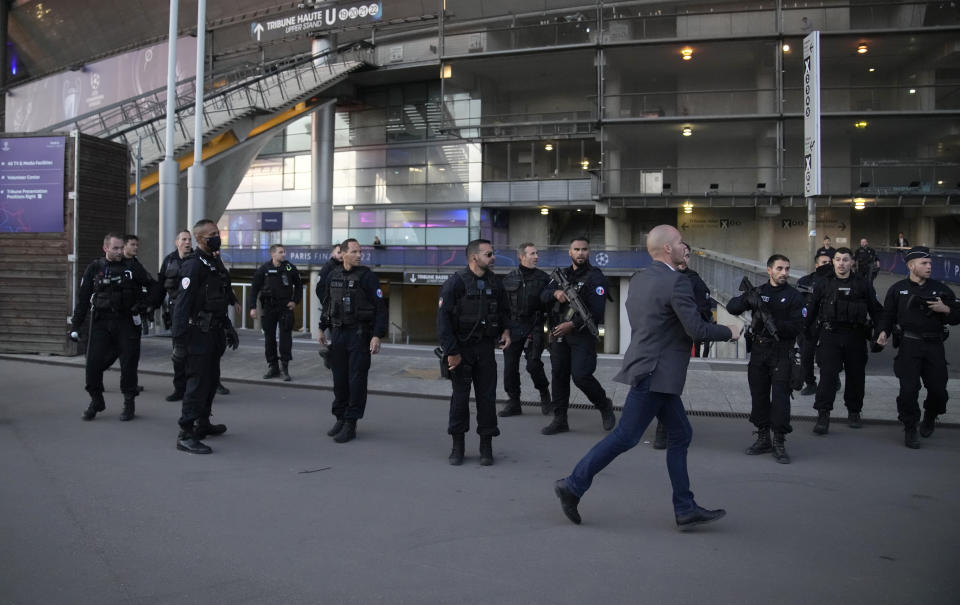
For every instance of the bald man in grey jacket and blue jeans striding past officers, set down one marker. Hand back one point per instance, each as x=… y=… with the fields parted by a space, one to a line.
x=664 y=324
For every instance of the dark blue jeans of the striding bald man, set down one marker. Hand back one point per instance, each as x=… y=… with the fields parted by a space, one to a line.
x=640 y=408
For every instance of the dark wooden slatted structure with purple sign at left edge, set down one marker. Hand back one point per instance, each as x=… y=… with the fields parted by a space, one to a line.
x=44 y=183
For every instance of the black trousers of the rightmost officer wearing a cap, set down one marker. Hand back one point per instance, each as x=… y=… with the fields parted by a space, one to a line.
x=920 y=360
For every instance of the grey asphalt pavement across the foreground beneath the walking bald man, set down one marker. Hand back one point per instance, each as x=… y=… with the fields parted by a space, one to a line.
x=111 y=512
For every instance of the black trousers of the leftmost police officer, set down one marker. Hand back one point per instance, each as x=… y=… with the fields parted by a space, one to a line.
x=112 y=339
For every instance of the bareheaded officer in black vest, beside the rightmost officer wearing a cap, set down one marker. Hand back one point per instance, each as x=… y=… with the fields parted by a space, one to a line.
x=842 y=303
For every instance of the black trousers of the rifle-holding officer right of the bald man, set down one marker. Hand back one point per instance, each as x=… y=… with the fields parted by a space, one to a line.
x=769 y=376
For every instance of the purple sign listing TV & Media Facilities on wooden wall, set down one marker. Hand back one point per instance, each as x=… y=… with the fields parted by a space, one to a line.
x=31 y=185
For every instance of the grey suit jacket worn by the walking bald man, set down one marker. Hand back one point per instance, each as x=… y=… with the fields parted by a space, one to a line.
x=664 y=322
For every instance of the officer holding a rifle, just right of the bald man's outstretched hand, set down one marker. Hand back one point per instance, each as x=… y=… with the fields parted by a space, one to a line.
x=771 y=357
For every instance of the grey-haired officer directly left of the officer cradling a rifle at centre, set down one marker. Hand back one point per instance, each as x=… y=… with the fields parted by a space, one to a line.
x=523 y=287
